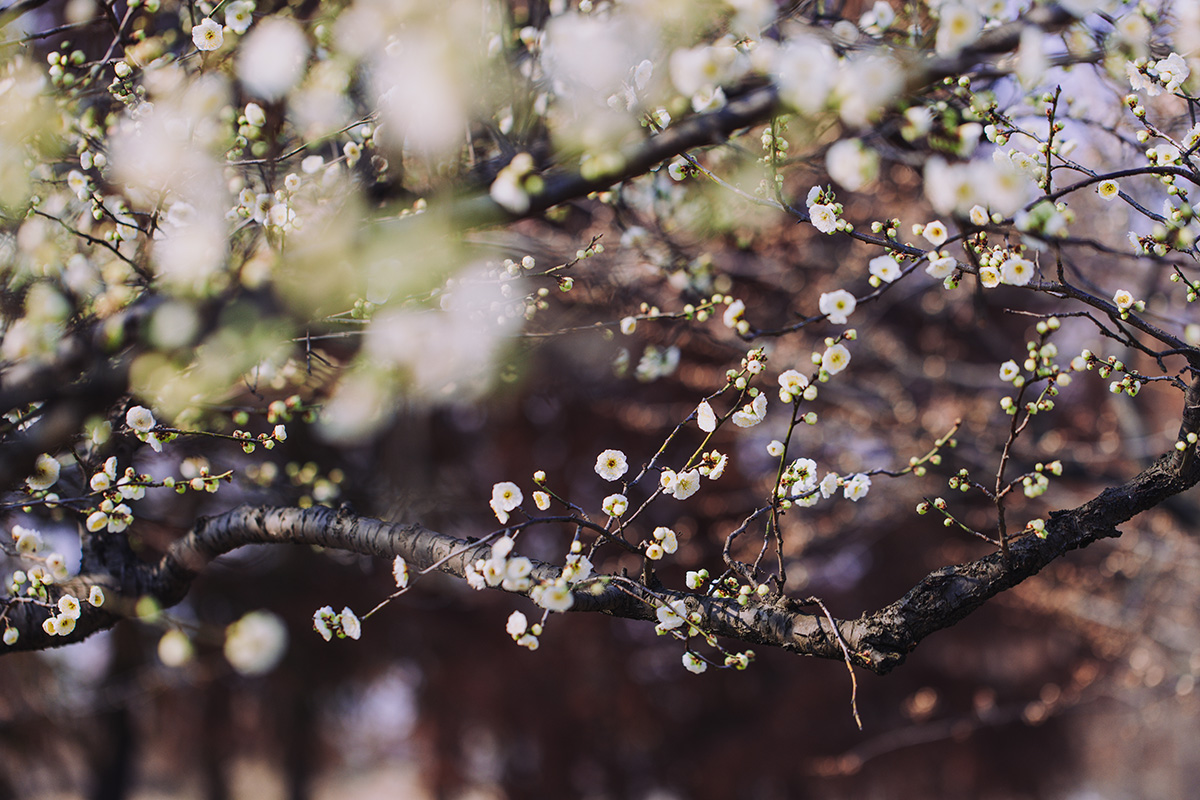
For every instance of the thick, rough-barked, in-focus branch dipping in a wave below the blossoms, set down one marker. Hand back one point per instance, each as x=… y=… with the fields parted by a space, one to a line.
x=879 y=641
